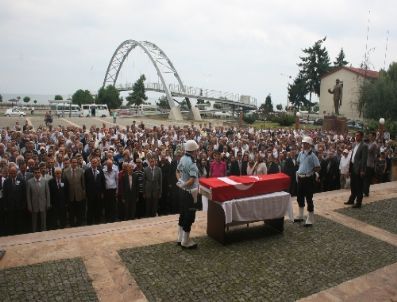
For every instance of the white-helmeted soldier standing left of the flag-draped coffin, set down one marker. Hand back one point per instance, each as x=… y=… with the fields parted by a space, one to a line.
x=187 y=175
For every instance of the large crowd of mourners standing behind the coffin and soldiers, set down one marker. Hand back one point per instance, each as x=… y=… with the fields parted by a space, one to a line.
x=55 y=177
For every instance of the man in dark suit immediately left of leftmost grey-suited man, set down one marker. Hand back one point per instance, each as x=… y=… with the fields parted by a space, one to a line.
x=14 y=197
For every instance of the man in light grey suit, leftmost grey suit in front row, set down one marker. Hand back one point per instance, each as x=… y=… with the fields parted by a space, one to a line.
x=38 y=199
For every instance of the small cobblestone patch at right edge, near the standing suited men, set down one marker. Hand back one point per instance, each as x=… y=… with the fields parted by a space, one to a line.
x=382 y=214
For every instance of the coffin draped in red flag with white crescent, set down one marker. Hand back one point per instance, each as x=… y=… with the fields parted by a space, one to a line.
x=234 y=187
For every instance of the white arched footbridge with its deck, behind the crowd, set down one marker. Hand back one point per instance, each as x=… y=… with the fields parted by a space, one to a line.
x=163 y=66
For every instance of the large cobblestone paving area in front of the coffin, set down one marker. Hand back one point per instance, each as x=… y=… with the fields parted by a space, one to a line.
x=287 y=267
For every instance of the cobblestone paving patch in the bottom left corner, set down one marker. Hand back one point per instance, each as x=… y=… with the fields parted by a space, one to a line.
x=63 y=280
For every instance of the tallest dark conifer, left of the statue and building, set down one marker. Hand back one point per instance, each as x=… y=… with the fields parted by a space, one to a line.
x=313 y=66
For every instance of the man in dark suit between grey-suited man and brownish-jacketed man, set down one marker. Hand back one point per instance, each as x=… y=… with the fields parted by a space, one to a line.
x=59 y=190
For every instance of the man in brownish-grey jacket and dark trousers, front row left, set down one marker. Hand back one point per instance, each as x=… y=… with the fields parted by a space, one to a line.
x=74 y=175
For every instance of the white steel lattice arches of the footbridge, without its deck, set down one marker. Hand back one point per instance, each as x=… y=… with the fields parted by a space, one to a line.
x=159 y=59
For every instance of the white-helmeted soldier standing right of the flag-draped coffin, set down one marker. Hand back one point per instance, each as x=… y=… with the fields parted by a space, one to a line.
x=309 y=166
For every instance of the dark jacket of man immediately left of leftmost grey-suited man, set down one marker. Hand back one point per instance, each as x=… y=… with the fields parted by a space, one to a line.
x=14 y=196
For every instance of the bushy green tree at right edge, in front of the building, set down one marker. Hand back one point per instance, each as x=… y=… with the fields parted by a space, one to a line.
x=378 y=98
